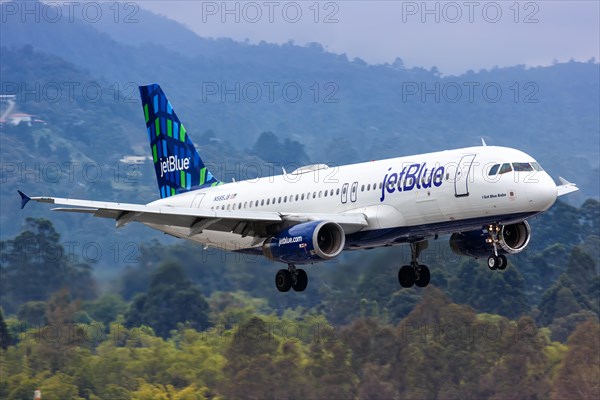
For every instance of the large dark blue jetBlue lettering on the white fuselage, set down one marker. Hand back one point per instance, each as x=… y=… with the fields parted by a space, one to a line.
x=410 y=177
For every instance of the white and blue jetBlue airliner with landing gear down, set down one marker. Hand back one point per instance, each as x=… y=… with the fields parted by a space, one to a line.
x=482 y=196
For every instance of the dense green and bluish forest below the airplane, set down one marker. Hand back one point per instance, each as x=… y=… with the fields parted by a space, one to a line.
x=184 y=323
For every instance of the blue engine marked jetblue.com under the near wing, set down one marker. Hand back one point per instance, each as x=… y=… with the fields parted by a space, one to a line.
x=306 y=243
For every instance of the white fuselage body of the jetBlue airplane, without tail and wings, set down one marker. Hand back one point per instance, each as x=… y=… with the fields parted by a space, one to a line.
x=427 y=194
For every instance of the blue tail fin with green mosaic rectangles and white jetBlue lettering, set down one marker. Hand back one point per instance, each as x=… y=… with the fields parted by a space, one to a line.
x=177 y=164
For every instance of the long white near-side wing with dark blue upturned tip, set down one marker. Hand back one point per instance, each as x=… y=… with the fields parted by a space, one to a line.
x=243 y=222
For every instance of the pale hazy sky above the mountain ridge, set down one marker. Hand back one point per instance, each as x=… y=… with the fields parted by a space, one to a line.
x=454 y=36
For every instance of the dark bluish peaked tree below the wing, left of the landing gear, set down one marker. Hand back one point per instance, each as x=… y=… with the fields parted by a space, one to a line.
x=171 y=299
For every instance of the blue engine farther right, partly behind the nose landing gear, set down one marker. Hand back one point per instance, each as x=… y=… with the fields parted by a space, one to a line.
x=512 y=239
